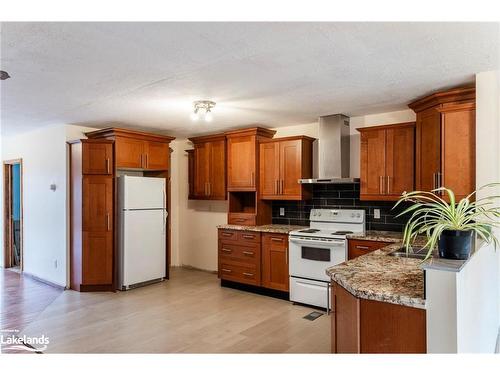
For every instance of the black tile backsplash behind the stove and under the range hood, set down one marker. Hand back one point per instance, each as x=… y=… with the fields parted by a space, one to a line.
x=340 y=196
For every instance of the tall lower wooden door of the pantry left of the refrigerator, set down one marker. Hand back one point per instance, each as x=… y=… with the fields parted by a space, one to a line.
x=97 y=226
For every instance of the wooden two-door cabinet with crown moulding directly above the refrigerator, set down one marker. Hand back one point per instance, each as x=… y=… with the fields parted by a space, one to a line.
x=137 y=150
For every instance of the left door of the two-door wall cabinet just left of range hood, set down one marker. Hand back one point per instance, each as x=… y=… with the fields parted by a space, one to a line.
x=269 y=169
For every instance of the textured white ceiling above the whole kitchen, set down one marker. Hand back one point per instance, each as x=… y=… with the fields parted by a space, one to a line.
x=146 y=75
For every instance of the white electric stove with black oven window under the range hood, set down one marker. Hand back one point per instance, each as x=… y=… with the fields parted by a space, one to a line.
x=313 y=250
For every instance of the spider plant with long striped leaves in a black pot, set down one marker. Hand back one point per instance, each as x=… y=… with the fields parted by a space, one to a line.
x=449 y=224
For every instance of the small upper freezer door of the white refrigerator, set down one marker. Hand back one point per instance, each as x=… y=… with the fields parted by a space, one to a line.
x=142 y=192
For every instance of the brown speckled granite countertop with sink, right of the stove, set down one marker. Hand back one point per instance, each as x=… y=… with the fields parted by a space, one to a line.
x=377 y=276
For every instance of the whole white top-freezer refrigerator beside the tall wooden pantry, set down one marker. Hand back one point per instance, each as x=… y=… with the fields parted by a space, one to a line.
x=142 y=230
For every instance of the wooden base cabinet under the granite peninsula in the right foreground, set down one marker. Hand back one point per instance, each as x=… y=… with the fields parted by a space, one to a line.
x=367 y=326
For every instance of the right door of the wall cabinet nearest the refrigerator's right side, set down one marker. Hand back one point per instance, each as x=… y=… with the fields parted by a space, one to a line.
x=217 y=181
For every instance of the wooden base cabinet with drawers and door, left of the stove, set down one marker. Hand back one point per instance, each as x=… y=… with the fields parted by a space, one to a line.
x=253 y=258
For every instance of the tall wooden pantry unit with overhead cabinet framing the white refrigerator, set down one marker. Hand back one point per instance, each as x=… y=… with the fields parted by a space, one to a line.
x=94 y=166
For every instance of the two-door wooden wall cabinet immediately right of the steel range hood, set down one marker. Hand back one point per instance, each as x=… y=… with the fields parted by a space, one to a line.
x=387 y=161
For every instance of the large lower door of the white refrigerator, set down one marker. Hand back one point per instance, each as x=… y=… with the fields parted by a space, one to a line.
x=142 y=246
